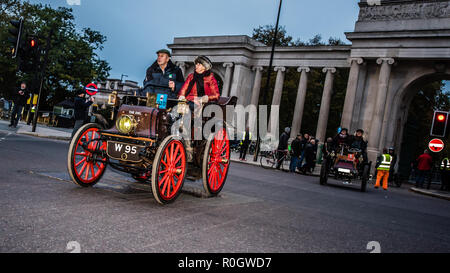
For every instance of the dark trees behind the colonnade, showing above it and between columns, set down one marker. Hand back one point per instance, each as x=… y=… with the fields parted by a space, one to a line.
x=316 y=79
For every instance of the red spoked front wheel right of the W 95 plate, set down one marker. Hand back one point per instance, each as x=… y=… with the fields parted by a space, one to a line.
x=169 y=170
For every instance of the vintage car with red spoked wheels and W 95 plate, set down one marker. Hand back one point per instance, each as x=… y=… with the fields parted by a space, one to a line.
x=140 y=143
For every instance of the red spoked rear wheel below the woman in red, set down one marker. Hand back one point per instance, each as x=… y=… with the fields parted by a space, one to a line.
x=216 y=161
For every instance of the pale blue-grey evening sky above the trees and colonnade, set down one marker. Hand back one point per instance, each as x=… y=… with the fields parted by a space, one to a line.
x=135 y=29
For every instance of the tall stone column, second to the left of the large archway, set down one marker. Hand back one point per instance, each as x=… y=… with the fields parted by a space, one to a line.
x=350 y=94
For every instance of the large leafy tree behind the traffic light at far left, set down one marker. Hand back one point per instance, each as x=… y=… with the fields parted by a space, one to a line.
x=73 y=60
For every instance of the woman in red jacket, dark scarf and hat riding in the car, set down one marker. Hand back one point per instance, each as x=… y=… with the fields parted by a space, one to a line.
x=201 y=86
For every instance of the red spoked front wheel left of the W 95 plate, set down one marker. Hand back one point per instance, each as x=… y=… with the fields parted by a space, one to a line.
x=83 y=165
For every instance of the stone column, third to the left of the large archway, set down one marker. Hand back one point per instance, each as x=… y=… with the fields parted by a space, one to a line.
x=325 y=104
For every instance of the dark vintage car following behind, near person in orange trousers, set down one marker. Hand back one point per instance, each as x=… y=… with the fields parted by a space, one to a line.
x=345 y=164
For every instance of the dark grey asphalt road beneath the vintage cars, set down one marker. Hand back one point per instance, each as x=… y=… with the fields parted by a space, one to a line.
x=258 y=211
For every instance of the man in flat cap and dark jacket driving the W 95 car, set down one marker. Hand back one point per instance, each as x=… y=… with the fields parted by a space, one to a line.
x=163 y=72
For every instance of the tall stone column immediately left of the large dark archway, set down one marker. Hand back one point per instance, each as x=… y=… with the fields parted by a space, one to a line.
x=380 y=103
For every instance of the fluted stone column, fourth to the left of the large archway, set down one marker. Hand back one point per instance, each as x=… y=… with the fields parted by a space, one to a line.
x=300 y=101
